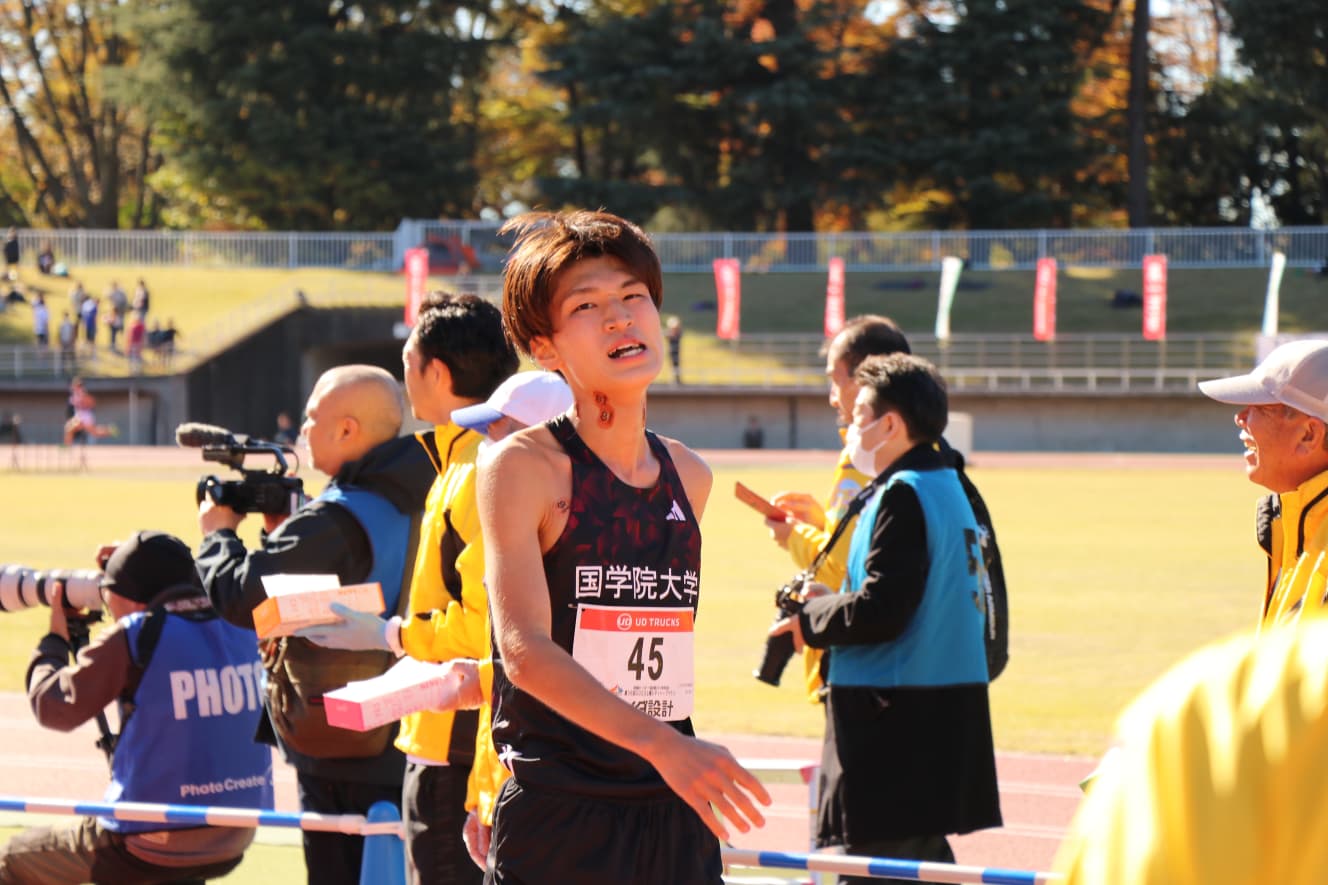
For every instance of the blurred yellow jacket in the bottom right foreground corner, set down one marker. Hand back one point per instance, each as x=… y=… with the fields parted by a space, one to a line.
x=1220 y=775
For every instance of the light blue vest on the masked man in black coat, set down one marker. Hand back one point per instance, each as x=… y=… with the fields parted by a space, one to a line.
x=944 y=644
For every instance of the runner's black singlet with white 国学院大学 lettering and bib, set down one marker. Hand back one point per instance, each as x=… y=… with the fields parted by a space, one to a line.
x=623 y=584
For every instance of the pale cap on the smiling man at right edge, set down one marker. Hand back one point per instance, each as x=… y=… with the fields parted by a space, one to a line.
x=1295 y=375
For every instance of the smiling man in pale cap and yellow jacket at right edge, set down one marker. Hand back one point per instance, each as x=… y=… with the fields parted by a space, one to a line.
x=1282 y=422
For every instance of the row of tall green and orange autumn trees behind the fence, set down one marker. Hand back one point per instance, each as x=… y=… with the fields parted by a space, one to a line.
x=686 y=115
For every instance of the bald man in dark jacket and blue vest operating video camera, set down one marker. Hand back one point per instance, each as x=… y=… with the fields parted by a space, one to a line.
x=359 y=530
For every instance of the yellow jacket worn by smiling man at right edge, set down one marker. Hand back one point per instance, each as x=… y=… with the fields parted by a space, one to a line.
x=1299 y=555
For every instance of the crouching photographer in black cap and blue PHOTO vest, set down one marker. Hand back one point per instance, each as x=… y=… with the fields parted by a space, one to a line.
x=189 y=702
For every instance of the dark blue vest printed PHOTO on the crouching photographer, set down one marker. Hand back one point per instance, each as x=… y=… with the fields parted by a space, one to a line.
x=191 y=739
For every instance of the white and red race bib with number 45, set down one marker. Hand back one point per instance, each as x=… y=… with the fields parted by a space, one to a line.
x=643 y=656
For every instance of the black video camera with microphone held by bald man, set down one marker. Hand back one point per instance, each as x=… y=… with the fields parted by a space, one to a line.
x=276 y=491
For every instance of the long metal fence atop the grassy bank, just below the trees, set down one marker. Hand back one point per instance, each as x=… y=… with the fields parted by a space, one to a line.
x=1185 y=248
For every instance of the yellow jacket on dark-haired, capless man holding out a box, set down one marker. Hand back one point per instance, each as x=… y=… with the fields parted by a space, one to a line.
x=448 y=615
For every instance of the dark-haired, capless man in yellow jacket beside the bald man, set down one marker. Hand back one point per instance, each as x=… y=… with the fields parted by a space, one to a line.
x=456 y=357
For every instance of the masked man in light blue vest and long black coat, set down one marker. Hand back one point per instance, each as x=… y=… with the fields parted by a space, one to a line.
x=908 y=755
